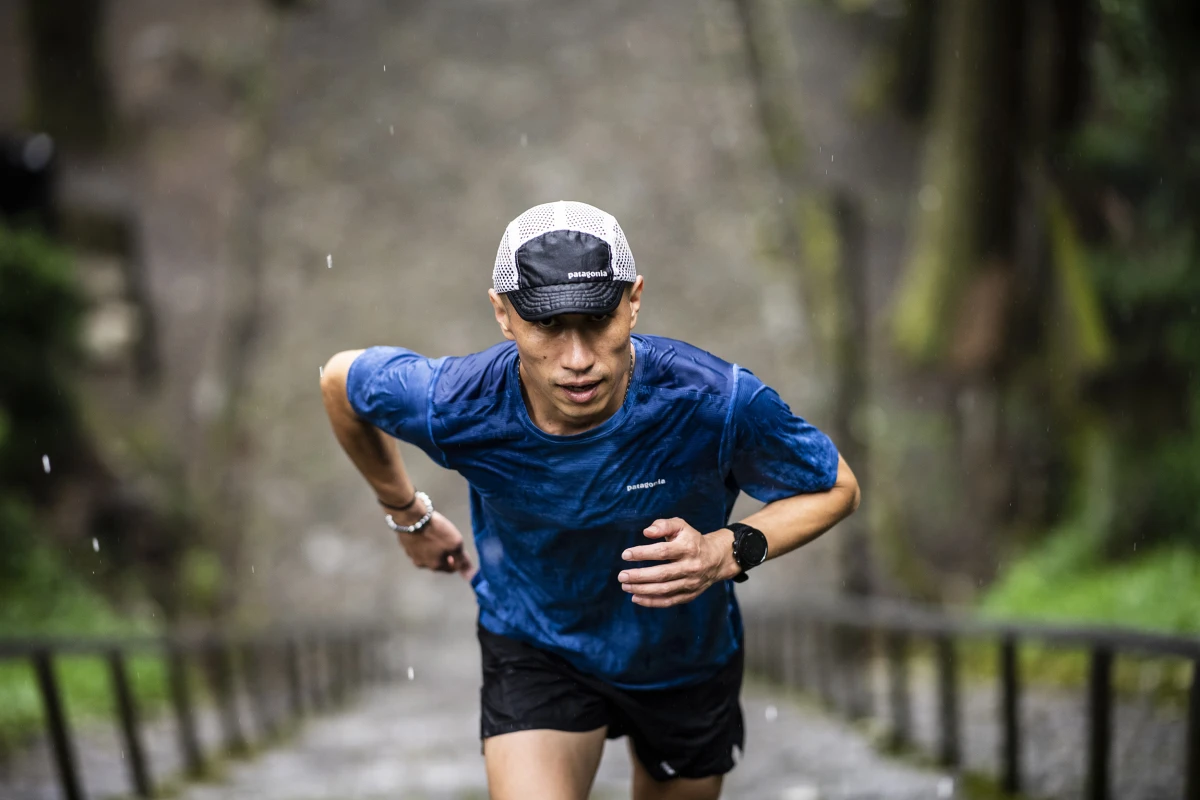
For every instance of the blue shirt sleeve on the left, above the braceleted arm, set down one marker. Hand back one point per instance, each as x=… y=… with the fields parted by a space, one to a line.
x=389 y=388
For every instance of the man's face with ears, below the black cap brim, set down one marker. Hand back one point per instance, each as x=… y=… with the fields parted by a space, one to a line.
x=575 y=362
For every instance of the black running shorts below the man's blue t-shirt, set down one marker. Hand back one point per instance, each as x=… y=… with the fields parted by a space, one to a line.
x=677 y=732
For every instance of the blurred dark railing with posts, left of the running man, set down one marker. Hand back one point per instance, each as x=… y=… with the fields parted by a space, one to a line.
x=316 y=669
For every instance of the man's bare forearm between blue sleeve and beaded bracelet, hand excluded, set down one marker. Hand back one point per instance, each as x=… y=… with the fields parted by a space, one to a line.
x=373 y=452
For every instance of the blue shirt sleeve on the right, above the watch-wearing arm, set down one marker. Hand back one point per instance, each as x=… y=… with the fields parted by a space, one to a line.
x=776 y=454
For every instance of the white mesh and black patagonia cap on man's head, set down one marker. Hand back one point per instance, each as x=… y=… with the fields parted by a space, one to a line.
x=563 y=258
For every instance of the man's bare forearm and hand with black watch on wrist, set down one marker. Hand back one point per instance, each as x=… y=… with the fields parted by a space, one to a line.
x=697 y=561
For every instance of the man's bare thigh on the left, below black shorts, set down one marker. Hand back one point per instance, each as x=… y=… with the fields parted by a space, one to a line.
x=550 y=765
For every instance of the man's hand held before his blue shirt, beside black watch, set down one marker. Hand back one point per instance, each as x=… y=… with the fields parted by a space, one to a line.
x=697 y=562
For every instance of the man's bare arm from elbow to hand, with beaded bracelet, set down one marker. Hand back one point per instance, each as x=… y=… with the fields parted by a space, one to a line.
x=439 y=545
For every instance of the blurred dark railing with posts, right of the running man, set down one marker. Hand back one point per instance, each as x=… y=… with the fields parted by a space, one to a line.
x=800 y=648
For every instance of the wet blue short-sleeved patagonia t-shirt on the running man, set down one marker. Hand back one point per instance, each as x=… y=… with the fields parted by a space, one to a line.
x=553 y=514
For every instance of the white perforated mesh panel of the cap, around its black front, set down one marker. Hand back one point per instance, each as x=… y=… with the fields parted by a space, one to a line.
x=565 y=215
